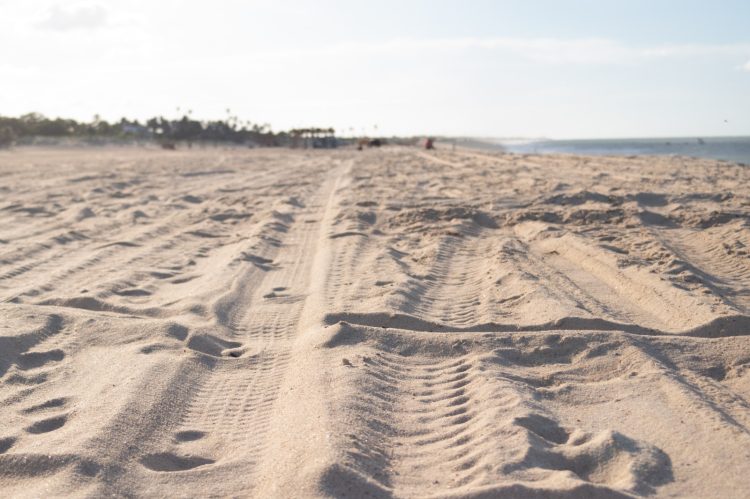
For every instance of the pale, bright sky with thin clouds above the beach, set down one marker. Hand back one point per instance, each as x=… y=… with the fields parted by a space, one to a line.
x=503 y=68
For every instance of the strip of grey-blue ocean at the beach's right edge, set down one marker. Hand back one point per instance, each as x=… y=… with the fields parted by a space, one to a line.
x=735 y=149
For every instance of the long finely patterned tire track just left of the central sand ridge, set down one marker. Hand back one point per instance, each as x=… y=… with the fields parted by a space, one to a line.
x=230 y=414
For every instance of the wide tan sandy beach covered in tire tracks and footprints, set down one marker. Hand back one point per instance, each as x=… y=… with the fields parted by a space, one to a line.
x=279 y=323
